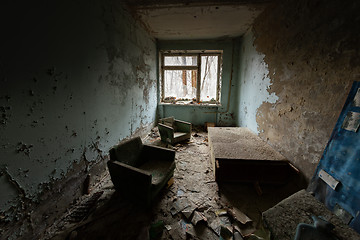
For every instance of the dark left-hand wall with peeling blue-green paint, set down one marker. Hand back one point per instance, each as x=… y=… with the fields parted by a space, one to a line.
x=76 y=78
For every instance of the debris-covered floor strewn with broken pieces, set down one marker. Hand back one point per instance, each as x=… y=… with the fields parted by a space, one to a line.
x=193 y=207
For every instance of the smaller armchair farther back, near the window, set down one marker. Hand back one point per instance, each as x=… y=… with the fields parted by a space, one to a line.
x=173 y=131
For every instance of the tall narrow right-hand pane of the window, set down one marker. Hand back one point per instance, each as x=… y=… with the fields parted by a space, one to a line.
x=209 y=78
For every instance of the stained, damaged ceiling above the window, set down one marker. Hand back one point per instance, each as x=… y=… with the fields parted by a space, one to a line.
x=189 y=20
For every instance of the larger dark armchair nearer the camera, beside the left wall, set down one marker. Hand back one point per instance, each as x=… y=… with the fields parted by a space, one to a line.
x=140 y=171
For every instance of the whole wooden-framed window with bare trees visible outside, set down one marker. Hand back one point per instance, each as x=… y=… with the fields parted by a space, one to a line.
x=191 y=77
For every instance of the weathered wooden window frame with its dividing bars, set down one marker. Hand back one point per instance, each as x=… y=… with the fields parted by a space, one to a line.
x=190 y=53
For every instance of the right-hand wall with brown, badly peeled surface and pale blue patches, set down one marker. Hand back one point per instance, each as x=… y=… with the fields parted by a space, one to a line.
x=311 y=53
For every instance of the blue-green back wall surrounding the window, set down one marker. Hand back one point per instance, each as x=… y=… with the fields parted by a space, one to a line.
x=222 y=115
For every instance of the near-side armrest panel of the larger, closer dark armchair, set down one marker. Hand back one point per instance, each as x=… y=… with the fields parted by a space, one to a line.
x=129 y=178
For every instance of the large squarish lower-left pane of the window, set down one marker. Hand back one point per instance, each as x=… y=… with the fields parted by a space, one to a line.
x=179 y=85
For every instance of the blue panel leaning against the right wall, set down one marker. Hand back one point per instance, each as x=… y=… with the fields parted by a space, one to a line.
x=341 y=159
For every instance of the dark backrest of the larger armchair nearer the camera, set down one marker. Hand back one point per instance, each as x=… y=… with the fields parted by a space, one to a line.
x=127 y=152
